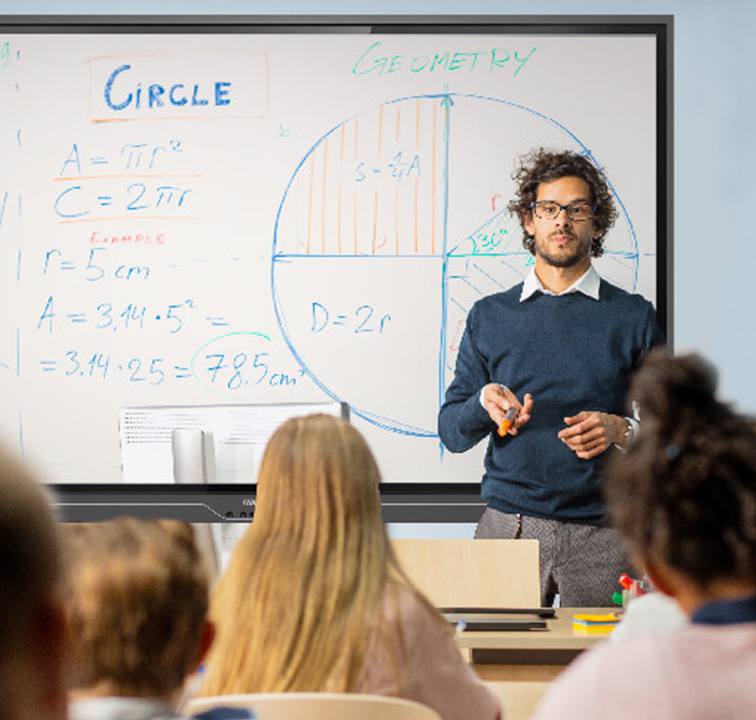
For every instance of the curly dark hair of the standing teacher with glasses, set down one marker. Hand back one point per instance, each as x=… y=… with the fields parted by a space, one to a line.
x=539 y=166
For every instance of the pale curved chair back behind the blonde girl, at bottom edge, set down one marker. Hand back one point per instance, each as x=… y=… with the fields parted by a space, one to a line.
x=317 y=706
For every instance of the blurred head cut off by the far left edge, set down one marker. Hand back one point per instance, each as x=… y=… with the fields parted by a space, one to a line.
x=31 y=614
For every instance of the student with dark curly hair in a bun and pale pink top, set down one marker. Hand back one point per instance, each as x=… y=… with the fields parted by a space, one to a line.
x=683 y=497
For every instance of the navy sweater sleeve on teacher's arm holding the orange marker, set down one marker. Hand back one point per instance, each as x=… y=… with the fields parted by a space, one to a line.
x=462 y=421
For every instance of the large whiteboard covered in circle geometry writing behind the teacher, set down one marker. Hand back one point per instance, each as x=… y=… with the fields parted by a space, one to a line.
x=240 y=210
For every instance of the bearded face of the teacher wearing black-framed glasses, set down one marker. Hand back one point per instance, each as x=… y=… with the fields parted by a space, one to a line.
x=561 y=241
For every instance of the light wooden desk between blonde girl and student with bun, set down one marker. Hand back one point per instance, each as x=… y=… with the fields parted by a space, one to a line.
x=520 y=665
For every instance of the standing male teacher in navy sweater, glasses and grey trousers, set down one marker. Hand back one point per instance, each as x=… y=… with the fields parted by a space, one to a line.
x=560 y=348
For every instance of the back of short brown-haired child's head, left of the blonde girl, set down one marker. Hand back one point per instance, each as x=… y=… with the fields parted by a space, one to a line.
x=136 y=599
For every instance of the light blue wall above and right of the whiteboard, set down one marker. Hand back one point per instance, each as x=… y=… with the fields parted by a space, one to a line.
x=715 y=148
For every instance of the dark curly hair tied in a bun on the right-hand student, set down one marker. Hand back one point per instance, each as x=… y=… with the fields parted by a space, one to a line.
x=684 y=492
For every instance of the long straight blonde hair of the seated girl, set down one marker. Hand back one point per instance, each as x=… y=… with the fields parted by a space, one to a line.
x=304 y=591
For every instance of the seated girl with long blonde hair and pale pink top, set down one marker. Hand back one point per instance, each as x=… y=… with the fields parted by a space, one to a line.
x=313 y=598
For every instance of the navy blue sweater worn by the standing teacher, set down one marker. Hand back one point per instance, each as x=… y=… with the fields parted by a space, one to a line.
x=572 y=353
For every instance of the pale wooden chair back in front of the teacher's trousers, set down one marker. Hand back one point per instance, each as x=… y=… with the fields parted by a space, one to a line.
x=473 y=573
